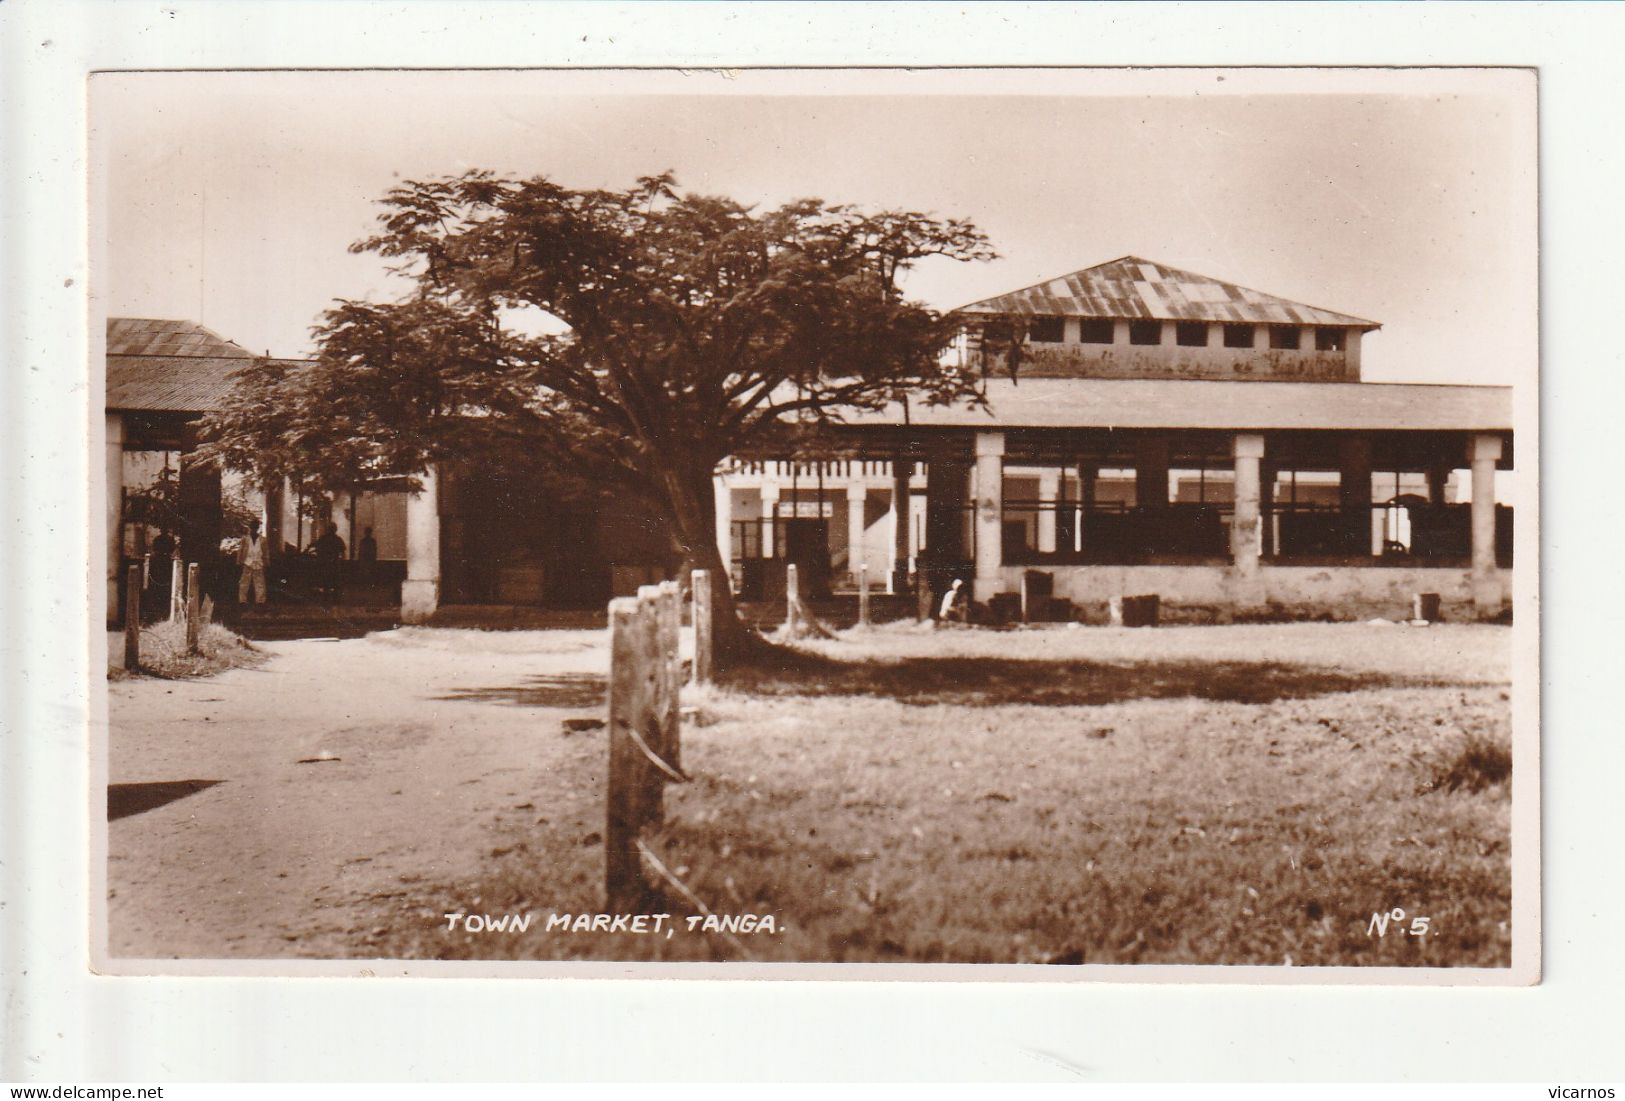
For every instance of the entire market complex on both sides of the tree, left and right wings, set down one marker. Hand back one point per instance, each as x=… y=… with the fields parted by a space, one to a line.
x=1146 y=431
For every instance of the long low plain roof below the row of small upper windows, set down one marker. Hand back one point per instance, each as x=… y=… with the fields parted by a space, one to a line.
x=1187 y=404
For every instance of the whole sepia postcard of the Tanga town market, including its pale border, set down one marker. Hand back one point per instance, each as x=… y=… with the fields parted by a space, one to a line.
x=834 y=524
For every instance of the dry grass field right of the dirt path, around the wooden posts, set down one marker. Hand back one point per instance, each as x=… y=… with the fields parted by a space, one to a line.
x=1247 y=795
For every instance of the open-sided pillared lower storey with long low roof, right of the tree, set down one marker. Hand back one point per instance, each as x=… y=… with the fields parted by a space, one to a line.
x=1319 y=499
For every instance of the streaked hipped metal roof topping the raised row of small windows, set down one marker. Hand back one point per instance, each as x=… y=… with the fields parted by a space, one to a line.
x=1133 y=288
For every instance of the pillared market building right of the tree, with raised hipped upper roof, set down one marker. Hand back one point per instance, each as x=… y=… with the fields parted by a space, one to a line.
x=1163 y=433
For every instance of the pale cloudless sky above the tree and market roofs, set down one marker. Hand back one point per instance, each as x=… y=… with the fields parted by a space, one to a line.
x=1406 y=199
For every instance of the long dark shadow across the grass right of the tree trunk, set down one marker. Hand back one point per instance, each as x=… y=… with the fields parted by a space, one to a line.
x=1002 y=681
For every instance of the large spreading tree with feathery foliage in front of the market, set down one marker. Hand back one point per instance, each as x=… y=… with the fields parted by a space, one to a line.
x=693 y=329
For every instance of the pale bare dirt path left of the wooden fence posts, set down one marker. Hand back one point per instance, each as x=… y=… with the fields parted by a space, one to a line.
x=223 y=844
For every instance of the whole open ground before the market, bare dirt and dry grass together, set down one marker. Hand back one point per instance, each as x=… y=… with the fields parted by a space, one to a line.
x=1185 y=795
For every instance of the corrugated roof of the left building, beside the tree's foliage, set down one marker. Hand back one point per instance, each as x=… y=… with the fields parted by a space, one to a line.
x=155 y=378
